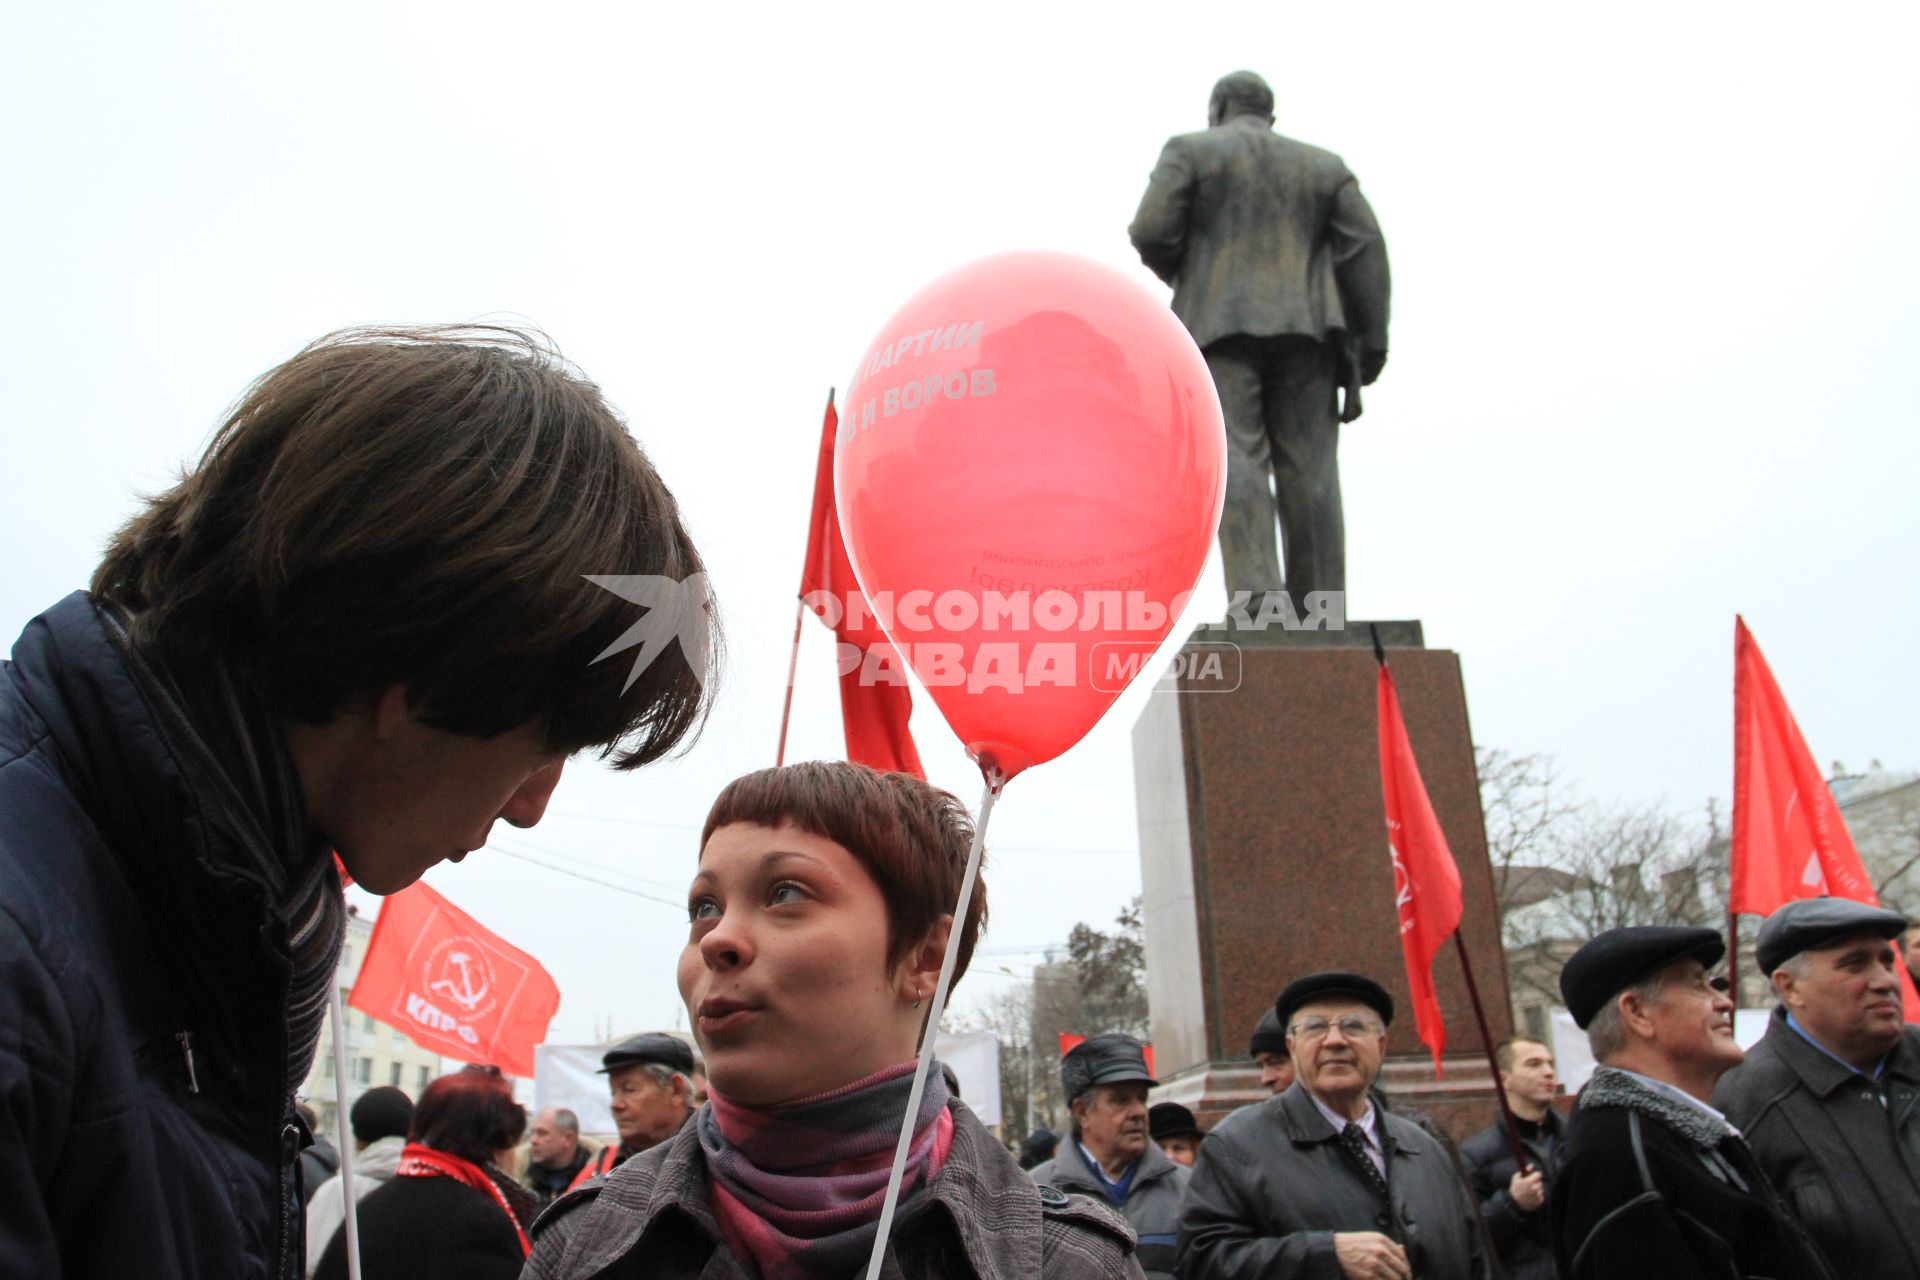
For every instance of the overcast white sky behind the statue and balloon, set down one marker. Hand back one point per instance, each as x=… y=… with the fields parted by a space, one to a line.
x=1654 y=273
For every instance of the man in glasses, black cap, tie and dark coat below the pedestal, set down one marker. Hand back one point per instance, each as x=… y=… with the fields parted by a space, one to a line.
x=1320 y=1181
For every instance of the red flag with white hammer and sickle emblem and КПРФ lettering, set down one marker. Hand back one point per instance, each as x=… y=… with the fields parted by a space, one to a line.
x=452 y=985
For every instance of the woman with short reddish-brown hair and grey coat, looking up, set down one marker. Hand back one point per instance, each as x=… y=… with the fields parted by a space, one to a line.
x=817 y=928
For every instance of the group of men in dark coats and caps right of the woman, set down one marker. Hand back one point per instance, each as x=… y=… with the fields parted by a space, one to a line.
x=1683 y=1156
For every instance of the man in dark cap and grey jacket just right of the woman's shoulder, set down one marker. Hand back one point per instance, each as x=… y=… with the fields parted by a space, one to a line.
x=1109 y=1154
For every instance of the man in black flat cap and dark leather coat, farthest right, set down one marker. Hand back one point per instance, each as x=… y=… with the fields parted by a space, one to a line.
x=1827 y=1099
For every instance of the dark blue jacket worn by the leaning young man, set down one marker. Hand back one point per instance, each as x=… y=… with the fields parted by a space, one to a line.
x=130 y=937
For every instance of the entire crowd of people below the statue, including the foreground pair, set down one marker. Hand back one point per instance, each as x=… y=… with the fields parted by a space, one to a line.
x=360 y=628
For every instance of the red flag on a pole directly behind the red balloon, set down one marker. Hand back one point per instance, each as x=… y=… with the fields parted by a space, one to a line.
x=875 y=696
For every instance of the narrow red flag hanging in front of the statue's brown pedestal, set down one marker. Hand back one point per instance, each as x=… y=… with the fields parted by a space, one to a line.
x=1426 y=876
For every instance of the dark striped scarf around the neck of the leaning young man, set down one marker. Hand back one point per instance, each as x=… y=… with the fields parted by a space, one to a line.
x=241 y=753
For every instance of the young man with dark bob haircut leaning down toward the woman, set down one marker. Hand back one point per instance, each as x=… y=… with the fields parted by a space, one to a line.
x=362 y=623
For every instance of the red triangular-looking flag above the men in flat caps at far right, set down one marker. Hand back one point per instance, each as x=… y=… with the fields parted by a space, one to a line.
x=1790 y=840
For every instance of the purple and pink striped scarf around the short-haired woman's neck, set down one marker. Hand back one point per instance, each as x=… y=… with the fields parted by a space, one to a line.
x=800 y=1187
